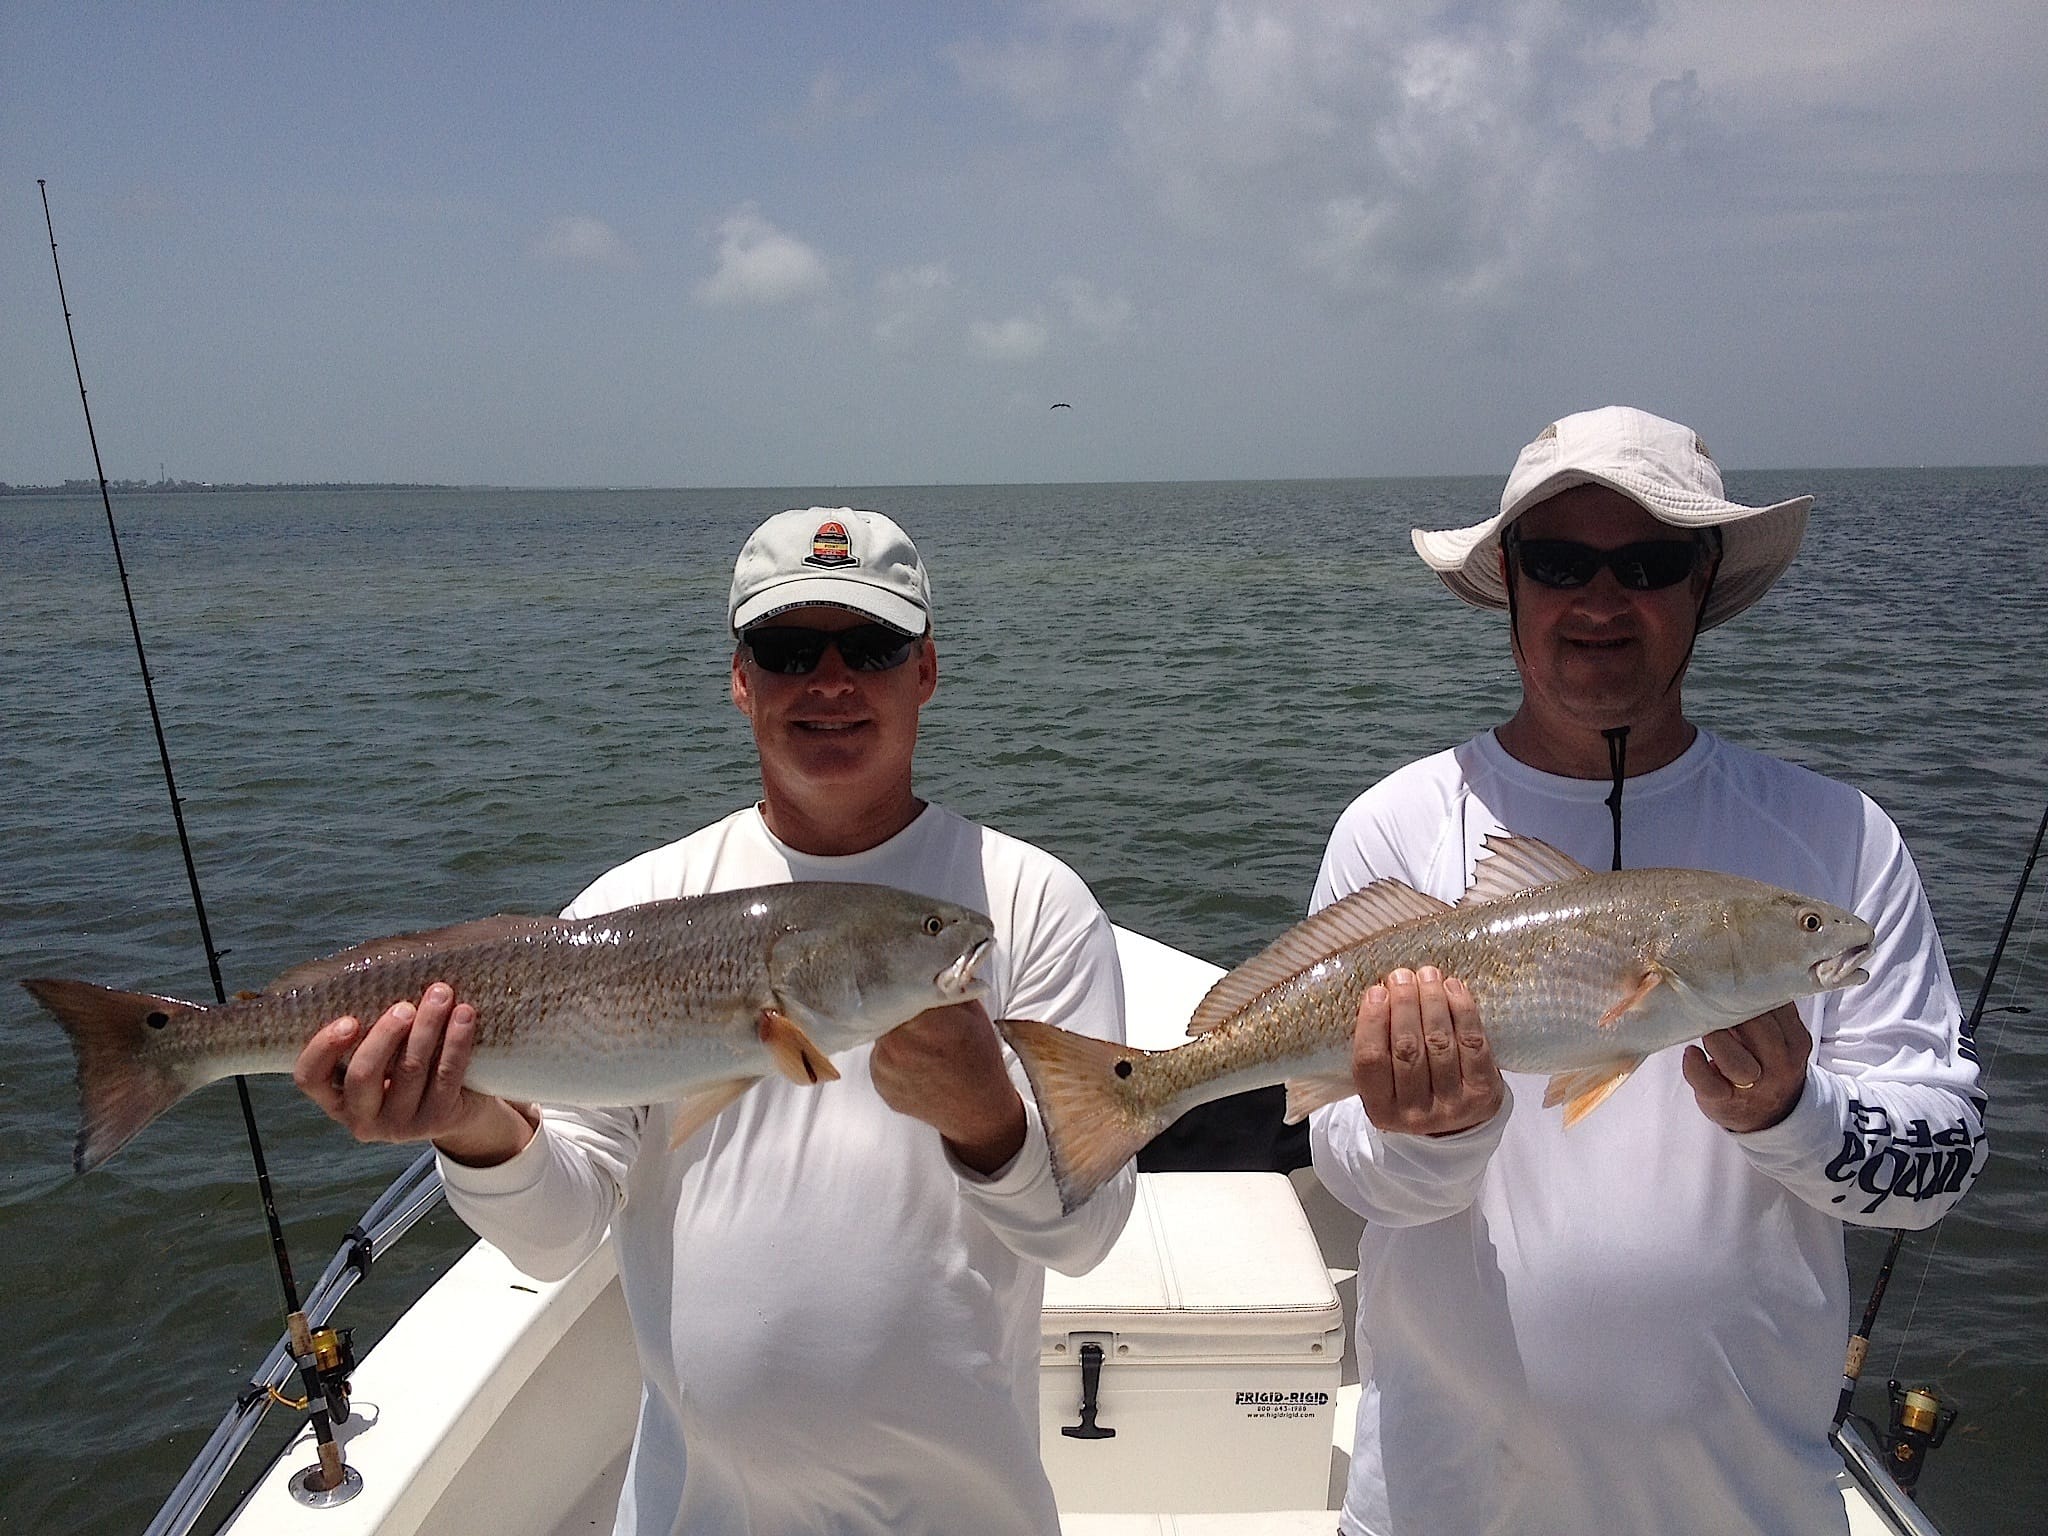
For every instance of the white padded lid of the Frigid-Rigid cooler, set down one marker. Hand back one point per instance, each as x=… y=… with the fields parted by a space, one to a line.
x=1213 y=1252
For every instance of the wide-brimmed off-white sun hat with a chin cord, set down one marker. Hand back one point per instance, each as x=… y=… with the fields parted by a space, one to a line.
x=1660 y=466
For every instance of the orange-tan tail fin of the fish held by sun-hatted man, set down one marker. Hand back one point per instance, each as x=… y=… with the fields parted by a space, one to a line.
x=1093 y=1121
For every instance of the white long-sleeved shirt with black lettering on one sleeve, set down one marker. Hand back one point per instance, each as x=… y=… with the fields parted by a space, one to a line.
x=1639 y=1324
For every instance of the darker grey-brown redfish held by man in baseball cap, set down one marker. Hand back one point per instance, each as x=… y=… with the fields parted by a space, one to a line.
x=691 y=1000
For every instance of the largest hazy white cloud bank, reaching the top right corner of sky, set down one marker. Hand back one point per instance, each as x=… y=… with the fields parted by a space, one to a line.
x=1463 y=157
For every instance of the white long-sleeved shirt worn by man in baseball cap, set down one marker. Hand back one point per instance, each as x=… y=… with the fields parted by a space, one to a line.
x=837 y=1322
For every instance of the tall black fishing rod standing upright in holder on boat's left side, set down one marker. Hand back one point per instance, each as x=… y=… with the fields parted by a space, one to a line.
x=325 y=1359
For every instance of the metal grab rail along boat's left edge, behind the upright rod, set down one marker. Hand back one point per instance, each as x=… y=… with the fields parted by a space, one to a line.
x=390 y=1218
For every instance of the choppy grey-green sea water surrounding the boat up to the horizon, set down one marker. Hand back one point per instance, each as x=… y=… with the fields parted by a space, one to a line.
x=392 y=710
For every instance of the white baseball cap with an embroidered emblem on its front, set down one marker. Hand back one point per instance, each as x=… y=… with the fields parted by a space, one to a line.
x=830 y=558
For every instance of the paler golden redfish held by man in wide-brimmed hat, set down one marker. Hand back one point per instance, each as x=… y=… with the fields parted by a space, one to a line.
x=1578 y=976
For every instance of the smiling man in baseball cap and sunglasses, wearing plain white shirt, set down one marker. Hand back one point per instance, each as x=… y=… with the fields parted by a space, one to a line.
x=837 y=1289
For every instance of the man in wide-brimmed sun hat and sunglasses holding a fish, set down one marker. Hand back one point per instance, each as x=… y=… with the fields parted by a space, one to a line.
x=1635 y=1324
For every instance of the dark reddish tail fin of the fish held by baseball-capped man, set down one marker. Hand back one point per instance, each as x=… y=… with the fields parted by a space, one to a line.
x=120 y=1089
